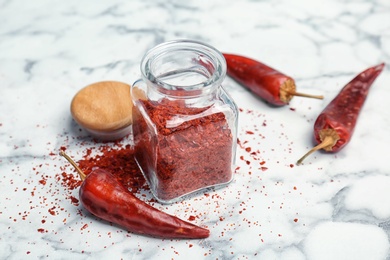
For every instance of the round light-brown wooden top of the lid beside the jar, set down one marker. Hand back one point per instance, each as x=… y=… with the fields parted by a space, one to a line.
x=103 y=106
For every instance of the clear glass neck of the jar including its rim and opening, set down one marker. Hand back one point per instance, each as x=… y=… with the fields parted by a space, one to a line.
x=183 y=70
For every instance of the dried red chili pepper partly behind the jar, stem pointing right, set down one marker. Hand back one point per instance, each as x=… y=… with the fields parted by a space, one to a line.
x=269 y=84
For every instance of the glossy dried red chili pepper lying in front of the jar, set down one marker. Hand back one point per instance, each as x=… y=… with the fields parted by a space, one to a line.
x=105 y=197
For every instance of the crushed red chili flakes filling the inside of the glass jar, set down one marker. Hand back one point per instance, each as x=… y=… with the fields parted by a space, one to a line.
x=194 y=154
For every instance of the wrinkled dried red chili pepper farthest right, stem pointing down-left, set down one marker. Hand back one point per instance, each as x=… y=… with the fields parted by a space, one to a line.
x=334 y=127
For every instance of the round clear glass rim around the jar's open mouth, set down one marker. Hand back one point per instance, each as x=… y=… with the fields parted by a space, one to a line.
x=208 y=51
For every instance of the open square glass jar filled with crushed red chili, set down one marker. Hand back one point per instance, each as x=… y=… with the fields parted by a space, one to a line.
x=184 y=122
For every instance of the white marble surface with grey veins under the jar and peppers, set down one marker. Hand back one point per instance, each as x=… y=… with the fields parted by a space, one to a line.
x=335 y=206
